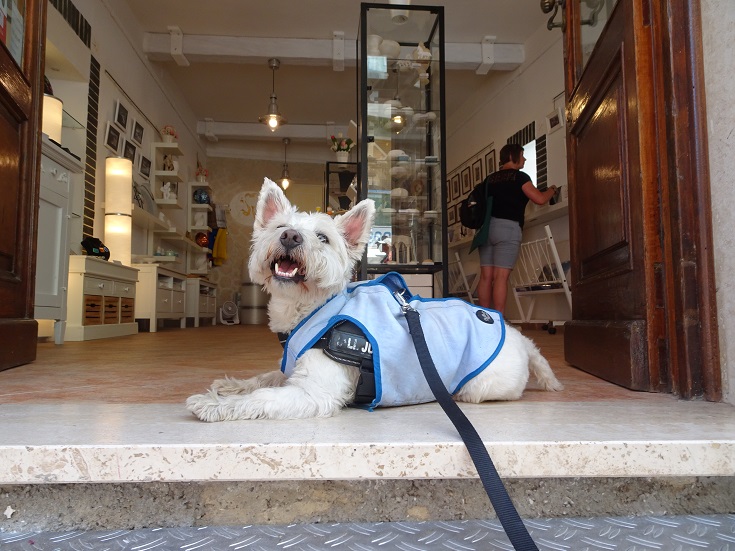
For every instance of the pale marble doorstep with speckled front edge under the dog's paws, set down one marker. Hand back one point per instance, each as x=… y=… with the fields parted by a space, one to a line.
x=95 y=442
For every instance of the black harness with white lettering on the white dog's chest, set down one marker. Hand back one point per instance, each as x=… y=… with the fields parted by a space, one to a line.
x=346 y=343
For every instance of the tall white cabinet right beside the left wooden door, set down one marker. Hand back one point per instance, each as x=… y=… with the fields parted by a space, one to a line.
x=52 y=245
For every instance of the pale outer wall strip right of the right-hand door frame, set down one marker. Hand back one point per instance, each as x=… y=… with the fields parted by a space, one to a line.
x=718 y=36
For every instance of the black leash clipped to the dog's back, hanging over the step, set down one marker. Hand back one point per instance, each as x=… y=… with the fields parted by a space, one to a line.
x=504 y=508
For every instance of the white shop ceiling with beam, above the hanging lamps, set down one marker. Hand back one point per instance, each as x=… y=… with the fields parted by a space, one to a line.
x=235 y=87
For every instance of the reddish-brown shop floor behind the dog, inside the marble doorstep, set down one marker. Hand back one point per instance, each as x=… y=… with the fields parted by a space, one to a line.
x=167 y=366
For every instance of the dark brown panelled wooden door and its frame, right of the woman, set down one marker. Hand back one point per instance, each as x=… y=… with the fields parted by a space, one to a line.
x=631 y=117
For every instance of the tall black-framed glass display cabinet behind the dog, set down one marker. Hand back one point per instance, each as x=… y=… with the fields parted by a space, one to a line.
x=401 y=139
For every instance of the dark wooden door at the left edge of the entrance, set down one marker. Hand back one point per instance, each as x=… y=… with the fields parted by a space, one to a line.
x=21 y=93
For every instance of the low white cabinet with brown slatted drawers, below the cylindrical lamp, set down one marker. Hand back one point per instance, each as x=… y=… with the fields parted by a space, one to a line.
x=101 y=299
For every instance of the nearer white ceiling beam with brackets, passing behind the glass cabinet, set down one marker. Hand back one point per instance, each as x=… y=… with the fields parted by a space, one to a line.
x=316 y=52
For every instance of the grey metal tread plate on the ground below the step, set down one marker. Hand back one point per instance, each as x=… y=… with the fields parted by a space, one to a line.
x=647 y=533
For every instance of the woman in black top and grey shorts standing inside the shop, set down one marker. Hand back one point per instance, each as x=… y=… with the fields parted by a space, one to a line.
x=510 y=189
